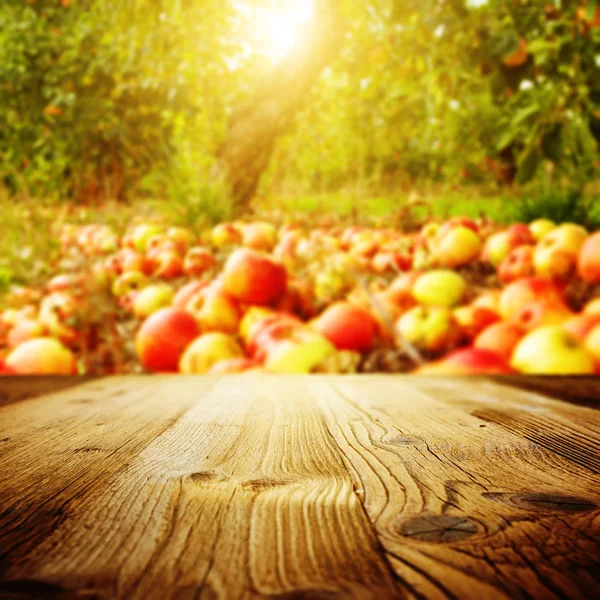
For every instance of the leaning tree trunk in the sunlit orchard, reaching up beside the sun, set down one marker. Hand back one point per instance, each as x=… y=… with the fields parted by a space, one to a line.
x=255 y=126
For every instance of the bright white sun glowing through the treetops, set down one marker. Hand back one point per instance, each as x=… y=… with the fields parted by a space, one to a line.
x=276 y=29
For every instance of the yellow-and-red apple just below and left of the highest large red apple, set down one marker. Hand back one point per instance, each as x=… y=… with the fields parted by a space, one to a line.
x=215 y=310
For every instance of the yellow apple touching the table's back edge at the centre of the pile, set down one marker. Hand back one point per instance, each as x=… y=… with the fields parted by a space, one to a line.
x=301 y=352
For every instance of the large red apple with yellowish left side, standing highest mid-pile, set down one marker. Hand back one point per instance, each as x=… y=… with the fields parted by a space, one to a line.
x=254 y=278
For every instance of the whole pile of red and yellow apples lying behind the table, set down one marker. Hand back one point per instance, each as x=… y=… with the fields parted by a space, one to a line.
x=462 y=296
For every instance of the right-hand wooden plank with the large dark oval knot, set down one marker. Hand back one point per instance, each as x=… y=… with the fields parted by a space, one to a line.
x=466 y=508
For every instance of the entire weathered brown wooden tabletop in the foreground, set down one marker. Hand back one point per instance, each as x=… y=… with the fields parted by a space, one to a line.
x=299 y=487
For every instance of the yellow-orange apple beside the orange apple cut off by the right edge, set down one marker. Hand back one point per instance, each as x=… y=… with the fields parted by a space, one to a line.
x=556 y=254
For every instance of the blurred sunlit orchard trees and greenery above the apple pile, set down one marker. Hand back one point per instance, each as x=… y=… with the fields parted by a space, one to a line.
x=212 y=106
